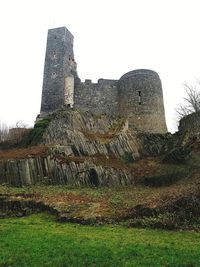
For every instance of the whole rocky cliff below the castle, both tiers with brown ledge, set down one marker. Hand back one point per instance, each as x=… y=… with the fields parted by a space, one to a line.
x=82 y=149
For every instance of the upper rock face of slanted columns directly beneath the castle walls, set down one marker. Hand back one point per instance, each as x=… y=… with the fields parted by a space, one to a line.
x=85 y=134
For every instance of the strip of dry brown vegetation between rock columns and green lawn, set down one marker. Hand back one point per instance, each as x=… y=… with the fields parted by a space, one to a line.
x=171 y=206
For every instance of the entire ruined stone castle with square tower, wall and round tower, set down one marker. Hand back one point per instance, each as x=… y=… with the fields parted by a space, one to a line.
x=136 y=96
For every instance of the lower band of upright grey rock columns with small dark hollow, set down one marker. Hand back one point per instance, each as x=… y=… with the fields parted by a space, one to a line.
x=53 y=170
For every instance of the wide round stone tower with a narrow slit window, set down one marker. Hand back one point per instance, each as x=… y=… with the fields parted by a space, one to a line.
x=141 y=101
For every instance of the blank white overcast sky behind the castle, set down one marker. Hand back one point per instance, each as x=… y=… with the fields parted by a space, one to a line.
x=111 y=37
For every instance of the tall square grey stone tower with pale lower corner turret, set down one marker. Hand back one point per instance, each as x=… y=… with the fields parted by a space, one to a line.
x=59 y=71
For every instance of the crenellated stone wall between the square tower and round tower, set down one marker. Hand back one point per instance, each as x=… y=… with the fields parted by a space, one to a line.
x=98 y=98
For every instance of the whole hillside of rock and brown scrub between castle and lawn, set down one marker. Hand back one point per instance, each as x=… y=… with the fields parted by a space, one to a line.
x=91 y=169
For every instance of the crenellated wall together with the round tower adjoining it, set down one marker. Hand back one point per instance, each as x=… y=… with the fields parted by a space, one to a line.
x=137 y=96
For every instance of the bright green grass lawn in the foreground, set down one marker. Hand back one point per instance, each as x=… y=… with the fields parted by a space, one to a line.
x=40 y=241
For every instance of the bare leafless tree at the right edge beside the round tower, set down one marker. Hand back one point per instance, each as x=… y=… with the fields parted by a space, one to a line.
x=191 y=102
